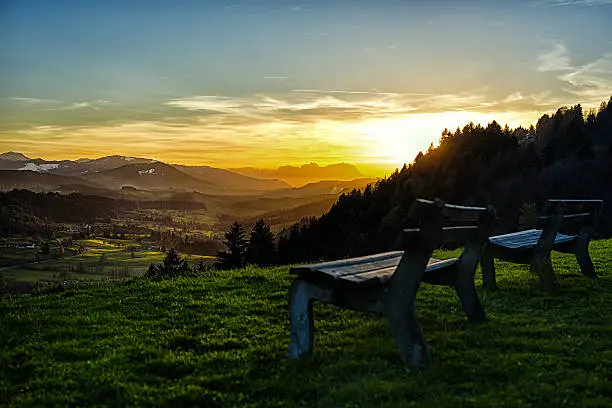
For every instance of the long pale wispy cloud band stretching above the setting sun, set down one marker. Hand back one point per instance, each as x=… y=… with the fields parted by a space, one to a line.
x=314 y=105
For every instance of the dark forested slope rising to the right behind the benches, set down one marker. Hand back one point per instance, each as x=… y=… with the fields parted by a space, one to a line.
x=564 y=155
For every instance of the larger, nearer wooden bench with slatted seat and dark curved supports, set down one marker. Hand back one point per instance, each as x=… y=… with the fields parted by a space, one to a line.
x=387 y=283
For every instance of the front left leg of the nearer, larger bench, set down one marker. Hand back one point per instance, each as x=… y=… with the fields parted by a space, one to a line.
x=301 y=295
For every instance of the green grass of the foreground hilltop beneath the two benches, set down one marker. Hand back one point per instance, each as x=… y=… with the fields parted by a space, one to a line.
x=221 y=340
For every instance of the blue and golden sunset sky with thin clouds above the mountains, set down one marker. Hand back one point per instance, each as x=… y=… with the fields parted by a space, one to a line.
x=269 y=83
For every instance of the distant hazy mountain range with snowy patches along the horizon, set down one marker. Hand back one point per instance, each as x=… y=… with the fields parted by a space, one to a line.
x=111 y=175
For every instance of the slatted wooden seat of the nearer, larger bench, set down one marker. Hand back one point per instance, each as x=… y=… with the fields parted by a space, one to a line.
x=369 y=270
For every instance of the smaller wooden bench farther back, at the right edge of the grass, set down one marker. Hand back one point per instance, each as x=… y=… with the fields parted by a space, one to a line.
x=577 y=220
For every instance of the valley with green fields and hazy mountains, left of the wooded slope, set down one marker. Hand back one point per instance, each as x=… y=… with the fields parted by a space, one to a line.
x=113 y=216
